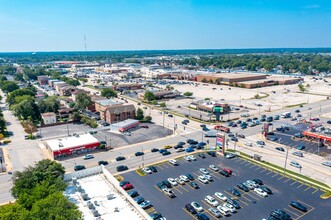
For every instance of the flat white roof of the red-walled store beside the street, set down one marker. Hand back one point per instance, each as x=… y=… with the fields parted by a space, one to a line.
x=70 y=142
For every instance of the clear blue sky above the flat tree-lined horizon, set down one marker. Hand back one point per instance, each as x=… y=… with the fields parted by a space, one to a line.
x=60 y=25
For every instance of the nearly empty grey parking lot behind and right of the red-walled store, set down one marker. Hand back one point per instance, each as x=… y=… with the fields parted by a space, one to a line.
x=138 y=134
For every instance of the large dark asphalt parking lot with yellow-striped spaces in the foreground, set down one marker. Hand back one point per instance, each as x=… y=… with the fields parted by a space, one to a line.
x=253 y=206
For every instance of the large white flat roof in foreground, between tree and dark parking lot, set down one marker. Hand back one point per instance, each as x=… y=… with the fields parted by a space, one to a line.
x=98 y=187
